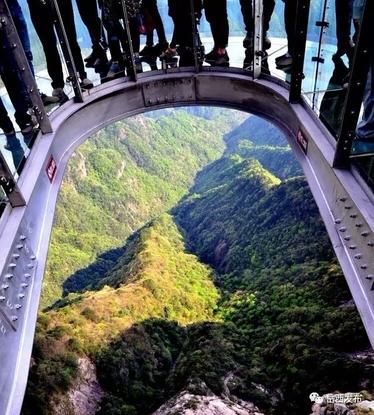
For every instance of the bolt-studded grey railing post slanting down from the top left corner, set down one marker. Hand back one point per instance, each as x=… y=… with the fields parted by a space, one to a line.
x=23 y=67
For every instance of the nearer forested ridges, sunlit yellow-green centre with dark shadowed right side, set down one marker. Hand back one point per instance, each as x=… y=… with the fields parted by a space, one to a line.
x=235 y=293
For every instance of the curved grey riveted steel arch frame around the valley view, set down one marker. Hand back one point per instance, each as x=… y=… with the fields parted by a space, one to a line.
x=344 y=206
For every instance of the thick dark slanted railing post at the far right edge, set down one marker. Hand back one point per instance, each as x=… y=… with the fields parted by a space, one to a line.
x=356 y=88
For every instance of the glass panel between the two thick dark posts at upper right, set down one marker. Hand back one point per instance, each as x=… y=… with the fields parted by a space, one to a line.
x=329 y=54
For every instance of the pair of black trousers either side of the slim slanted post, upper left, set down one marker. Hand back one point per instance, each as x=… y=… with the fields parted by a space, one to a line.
x=41 y=16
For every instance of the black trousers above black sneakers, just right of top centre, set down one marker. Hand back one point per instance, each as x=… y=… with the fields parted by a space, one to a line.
x=216 y=15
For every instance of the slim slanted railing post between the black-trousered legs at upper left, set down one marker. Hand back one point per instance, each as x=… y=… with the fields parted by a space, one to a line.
x=66 y=51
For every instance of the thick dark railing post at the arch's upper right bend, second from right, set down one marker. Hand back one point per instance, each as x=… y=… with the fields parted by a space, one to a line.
x=298 y=55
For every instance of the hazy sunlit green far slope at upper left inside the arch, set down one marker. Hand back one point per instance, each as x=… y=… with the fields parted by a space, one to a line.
x=121 y=178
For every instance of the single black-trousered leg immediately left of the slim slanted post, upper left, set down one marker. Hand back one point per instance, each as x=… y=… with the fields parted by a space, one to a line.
x=42 y=21
